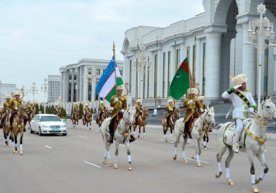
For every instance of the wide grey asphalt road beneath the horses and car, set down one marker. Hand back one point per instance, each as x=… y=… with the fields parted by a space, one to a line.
x=73 y=164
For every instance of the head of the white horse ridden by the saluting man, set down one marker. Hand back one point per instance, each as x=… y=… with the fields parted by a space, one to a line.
x=268 y=110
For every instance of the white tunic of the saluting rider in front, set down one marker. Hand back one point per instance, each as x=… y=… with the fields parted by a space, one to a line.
x=240 y=107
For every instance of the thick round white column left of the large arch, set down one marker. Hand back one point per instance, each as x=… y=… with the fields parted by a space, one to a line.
x=213 y=44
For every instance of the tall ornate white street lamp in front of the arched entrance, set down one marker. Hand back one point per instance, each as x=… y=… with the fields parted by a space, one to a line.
x=259 y=31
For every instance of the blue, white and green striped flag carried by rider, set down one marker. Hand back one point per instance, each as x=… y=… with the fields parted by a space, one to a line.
x=110 y=78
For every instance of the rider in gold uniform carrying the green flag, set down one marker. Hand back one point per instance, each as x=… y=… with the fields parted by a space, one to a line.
x=192 y=105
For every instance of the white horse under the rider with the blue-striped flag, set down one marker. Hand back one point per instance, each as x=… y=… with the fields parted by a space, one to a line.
x=121 y=136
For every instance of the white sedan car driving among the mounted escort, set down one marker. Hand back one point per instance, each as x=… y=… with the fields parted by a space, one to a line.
x=48 y=124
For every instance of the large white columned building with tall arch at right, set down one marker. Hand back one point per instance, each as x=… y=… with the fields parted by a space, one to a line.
x=215 y=43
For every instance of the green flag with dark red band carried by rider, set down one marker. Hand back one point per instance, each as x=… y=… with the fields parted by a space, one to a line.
x=181 y=81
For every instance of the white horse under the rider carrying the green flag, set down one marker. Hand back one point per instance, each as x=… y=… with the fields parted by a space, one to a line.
x=205 y=120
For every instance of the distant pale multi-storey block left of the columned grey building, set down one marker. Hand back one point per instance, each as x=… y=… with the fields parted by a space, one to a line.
x=54 y=88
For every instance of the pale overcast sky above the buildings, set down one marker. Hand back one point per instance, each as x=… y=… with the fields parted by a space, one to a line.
x=37 y=37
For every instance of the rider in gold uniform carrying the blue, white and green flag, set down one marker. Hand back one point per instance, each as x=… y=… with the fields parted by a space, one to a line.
x=119 y=104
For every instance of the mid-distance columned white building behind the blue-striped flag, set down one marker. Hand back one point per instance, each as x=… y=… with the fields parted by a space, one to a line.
x=78 y=81
